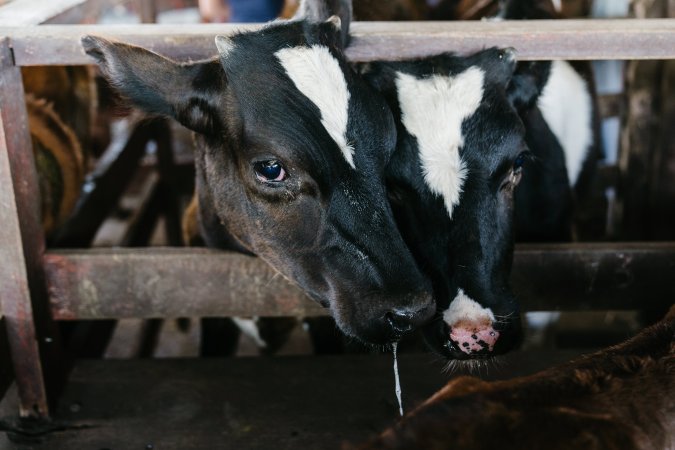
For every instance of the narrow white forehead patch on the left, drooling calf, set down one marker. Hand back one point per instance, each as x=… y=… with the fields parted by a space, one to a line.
x=317 y=74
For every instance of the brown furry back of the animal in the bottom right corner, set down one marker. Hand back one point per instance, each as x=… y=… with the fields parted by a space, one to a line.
x=620 y=398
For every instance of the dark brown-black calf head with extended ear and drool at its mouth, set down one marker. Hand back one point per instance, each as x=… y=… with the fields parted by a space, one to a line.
x=290 y=165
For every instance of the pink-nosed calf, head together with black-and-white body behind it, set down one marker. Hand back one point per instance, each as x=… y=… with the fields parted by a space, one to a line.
x=468 y=128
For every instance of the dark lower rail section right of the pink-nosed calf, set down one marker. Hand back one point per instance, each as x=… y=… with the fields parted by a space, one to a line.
x=612 y=276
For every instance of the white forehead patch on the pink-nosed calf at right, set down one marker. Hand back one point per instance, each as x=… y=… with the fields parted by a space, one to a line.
x=433 y=110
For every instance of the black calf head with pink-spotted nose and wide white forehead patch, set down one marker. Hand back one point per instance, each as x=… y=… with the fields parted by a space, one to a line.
x=458 y=161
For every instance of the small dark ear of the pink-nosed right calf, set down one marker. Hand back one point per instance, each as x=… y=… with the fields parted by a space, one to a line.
x=527 y=83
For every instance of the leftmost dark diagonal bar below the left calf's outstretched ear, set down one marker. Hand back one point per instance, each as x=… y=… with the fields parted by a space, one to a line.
x=105 y=185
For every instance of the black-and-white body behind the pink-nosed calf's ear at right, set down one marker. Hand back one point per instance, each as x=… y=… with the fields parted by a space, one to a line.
x=562 y=132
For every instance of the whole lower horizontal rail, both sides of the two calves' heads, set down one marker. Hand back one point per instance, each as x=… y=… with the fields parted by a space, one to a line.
x=122 y=283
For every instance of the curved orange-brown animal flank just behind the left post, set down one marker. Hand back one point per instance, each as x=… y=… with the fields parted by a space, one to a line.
x=59 y=161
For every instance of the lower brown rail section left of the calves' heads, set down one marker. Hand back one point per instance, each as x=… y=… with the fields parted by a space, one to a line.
x=163 y=283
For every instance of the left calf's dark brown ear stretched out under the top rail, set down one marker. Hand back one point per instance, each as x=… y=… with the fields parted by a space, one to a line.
x=158 y=85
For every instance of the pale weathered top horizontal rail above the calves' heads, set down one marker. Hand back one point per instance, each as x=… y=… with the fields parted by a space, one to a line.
x=537 y=39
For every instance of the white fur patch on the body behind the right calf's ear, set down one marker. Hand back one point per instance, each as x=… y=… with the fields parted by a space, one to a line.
x=567 y=107
